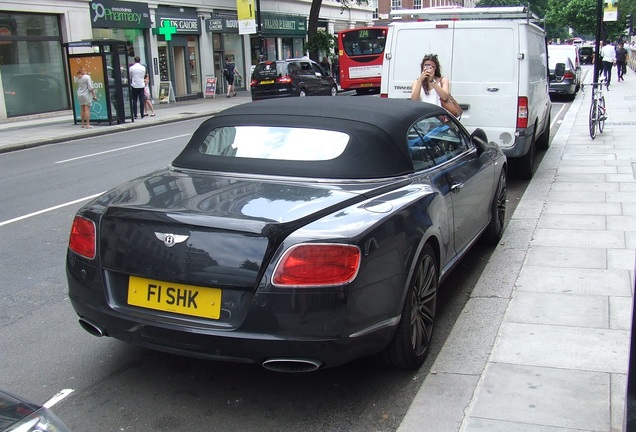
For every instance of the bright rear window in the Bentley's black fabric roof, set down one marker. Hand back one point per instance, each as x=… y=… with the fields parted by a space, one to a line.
x=274 y=143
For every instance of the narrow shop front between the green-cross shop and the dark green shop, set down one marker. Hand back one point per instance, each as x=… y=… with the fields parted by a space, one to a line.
x=228 y=44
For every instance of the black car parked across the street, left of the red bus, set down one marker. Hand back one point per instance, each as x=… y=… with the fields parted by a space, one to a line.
x=293 y=77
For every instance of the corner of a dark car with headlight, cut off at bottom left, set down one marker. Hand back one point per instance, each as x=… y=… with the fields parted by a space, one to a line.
x=18 y=415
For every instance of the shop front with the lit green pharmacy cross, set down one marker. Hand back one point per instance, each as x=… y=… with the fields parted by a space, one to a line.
x=178 y=31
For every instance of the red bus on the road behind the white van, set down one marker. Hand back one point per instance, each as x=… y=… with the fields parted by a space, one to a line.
x=360 y=53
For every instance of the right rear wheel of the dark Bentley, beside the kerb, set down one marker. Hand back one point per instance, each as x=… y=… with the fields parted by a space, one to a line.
x=412 y=339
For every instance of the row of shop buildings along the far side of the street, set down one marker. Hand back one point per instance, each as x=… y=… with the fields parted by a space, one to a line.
x=182 y=43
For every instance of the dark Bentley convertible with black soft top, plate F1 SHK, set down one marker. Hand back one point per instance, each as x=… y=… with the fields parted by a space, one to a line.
x=296 y=234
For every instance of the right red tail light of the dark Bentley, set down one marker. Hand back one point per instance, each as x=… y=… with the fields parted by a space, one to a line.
x=317 y=264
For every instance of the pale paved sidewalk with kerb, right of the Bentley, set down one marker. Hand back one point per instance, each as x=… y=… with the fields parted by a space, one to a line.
x=543 y=342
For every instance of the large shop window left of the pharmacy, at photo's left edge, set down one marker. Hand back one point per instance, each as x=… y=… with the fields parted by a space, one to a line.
x=31 y=65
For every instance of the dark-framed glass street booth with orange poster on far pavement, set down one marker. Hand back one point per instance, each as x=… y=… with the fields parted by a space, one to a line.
x=106 y=61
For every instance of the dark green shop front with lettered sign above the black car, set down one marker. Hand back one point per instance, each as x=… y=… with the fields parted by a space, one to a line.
x=283 y=37
